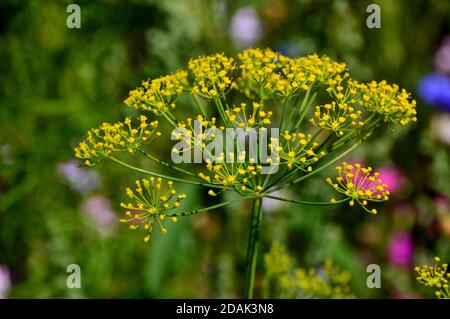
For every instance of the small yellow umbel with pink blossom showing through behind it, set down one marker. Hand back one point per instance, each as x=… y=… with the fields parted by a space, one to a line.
x=359 y=184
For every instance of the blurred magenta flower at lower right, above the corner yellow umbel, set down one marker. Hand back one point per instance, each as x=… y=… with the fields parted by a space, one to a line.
x=400 y=249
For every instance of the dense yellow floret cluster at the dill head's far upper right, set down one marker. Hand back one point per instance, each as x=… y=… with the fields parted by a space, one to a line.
x=390 y=102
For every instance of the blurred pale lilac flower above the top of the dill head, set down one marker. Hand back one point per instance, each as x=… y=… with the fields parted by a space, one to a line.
x=245 y=27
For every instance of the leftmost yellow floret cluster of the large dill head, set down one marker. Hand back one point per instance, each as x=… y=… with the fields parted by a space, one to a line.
x=108 y=138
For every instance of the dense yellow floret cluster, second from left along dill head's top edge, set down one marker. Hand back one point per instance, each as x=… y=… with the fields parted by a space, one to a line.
x=212 y=75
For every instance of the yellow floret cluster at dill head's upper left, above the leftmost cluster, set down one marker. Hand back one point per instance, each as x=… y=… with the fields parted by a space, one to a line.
x=158 y=95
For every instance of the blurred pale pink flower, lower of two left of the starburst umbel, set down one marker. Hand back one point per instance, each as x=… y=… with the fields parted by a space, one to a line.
x=98 y=210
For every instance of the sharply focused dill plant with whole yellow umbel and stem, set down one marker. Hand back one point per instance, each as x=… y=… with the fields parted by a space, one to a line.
x=275 y=135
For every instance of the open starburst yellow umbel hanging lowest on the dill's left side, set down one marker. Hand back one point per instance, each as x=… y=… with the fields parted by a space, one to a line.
x=151 y=203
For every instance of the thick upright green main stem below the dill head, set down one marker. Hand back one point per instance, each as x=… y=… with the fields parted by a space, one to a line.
x=252 y=250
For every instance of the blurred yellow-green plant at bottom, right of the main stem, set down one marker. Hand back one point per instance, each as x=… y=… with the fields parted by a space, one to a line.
x=282 y=280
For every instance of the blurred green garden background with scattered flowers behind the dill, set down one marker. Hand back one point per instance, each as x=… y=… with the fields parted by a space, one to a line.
x=56 y=83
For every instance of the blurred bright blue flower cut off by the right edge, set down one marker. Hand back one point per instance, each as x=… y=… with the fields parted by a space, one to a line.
x=434 y=89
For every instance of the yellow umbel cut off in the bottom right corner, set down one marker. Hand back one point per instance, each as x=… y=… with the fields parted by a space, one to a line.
x=436 y=277
